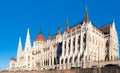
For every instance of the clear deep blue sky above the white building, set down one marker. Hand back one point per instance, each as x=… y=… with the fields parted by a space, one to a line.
x=17 y=15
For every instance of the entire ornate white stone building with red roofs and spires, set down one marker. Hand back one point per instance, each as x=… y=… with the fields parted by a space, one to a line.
x=78 y=46
